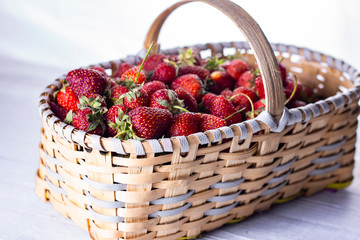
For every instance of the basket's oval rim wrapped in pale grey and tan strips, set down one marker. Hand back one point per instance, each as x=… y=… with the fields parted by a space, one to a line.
x=240 y=130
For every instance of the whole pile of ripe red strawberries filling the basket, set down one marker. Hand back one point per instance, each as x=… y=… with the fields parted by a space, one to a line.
x=168 y=95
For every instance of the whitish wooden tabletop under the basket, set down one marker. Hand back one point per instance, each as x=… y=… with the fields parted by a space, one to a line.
x=24 y=216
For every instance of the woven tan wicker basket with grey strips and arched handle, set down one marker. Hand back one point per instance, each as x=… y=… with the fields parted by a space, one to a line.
x=180 y=187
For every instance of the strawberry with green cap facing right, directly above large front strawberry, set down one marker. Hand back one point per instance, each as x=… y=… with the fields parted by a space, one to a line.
x=167 y=99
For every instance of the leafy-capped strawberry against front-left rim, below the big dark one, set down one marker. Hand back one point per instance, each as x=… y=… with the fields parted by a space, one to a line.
x=86 y=120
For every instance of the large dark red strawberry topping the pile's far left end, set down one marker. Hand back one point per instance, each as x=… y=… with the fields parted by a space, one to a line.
x=85 y=81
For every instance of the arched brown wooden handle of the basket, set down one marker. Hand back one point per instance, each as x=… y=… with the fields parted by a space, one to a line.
x=263 y=52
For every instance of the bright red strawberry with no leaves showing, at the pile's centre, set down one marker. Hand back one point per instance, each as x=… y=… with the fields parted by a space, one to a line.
x=191 y=83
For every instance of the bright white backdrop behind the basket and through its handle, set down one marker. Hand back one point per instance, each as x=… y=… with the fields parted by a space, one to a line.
x=72 y=33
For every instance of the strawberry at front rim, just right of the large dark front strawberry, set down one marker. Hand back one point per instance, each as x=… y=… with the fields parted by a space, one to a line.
x=184 y=124
